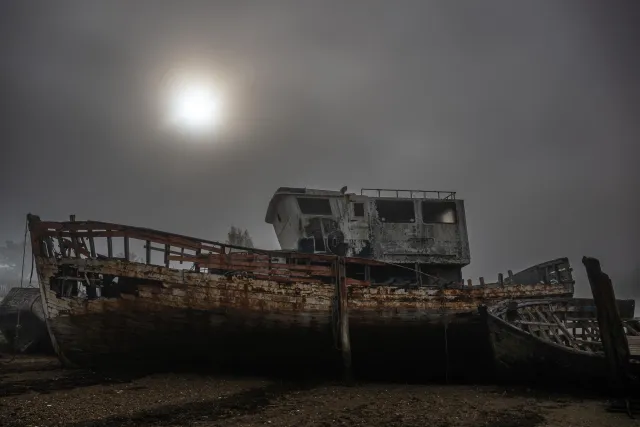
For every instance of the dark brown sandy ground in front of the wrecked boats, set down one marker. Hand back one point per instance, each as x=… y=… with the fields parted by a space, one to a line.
x=35 y=391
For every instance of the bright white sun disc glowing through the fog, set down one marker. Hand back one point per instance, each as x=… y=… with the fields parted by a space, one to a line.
x=196 y=107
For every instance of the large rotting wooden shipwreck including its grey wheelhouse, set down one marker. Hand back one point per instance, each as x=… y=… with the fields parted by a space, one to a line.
x=359 y=277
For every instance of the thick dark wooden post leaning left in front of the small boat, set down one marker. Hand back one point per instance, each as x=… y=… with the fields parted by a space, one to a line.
x=614 y=339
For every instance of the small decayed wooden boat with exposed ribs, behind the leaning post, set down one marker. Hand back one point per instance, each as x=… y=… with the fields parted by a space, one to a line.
x=553 y=339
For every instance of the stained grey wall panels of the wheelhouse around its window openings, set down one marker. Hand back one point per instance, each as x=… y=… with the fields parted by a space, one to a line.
x=368 y=234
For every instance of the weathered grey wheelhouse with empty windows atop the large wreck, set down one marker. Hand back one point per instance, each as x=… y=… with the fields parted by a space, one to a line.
x=420 y=235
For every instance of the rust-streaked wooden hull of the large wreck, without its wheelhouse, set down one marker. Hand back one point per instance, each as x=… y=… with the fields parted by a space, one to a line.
x=246 y=309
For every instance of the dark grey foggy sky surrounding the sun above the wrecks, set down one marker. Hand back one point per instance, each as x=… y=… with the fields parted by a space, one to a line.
x=528 y=109
